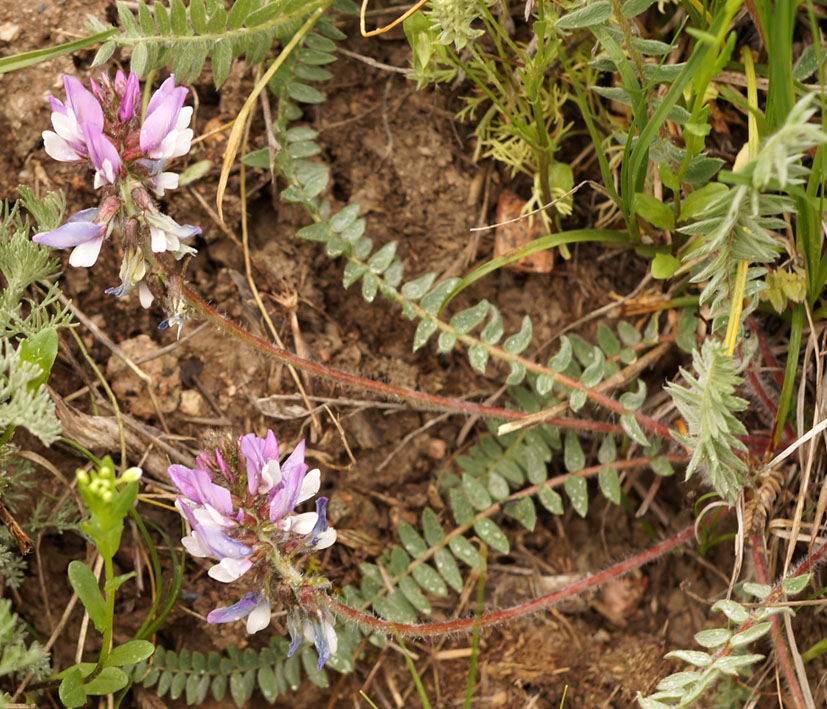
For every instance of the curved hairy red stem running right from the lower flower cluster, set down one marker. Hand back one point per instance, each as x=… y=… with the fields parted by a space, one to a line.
x=467 y=624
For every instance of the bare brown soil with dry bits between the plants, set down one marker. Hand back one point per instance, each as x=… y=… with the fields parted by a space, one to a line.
x=404 y=158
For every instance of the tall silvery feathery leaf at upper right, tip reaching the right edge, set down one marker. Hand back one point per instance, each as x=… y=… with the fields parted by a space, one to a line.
x=736 y=223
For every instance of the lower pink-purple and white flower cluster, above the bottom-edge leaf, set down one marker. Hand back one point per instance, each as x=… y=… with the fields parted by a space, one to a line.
x=240 y=502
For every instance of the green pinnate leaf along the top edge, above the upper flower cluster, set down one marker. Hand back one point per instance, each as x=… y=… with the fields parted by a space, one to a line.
x=187 y=34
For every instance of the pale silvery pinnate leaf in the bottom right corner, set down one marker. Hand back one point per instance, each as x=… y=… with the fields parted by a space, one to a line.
x=728 y=654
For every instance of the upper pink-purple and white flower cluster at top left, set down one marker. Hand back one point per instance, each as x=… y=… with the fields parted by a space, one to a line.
x=129 y=157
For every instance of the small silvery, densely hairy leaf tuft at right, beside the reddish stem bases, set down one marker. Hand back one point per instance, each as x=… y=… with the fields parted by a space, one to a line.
x=708 y=405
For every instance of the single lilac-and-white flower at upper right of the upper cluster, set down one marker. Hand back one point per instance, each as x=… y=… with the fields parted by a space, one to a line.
x=165 y=133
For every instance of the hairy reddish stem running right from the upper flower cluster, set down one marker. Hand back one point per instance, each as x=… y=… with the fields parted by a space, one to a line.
x=388 y=390
